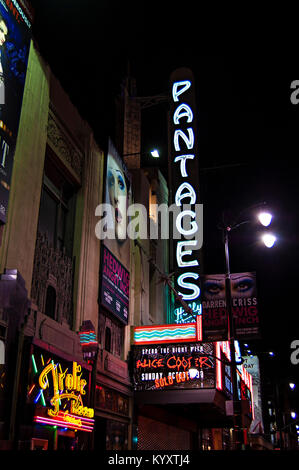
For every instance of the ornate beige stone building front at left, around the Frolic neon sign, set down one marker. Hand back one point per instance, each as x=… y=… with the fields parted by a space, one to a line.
x=49 y=263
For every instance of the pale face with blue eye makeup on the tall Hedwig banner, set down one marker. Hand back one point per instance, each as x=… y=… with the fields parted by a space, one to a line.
x=117 y=189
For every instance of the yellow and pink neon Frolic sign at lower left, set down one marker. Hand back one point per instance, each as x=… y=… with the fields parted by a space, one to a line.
x=60 y=391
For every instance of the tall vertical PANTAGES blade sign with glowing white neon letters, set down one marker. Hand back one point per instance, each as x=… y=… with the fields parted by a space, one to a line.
x=184 y=184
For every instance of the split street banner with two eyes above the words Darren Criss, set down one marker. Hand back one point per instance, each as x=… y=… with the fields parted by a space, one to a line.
x=244 y=306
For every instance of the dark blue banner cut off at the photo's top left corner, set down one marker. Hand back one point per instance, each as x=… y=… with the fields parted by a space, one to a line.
x=15 y=35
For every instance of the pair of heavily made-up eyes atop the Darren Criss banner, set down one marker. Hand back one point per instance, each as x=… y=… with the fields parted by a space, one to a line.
x=242 y=285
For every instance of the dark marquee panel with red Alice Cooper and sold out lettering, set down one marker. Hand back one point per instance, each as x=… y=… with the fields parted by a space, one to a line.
x=173 y=366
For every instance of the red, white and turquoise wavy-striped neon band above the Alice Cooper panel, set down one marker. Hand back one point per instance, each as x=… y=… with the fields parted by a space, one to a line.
x=176 y=333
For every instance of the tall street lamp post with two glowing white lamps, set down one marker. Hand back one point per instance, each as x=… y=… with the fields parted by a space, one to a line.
x=265 y=219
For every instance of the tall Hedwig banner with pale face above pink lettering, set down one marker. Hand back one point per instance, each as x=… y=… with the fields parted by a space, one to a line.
x=115 y=249
